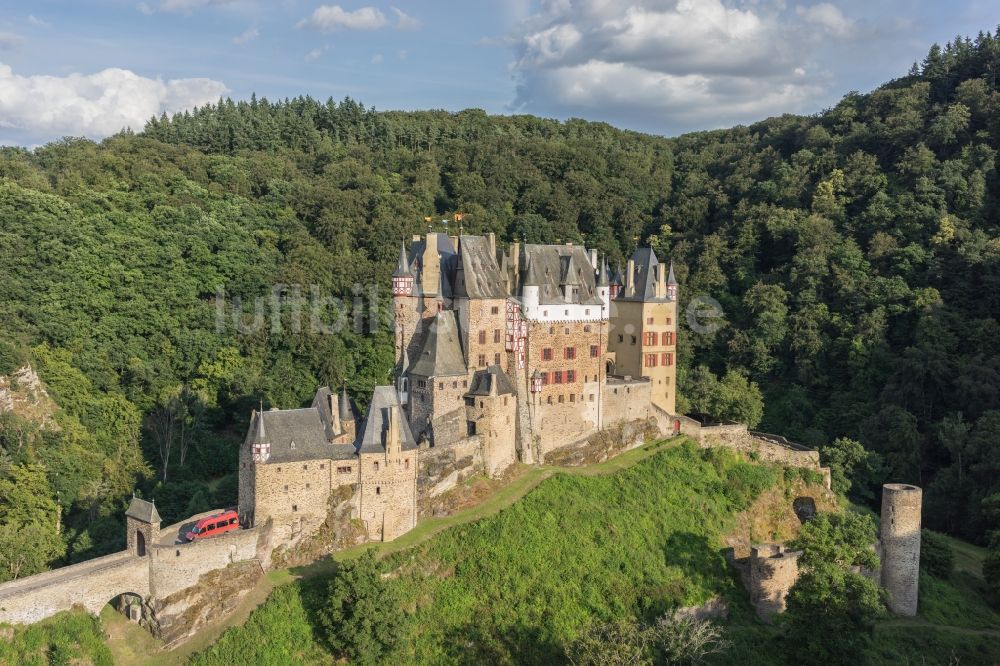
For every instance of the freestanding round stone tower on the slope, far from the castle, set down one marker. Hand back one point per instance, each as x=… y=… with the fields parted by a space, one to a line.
x=900 y=546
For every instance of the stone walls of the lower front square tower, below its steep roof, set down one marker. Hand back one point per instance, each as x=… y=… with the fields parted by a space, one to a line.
x=388 y=502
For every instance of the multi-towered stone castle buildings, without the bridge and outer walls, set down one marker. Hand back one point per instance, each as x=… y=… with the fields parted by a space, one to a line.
x=513 y=354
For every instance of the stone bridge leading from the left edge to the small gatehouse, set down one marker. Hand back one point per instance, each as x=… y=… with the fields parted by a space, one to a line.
x=89 y=584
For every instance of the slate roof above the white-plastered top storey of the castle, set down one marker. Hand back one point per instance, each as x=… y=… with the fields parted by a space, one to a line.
x=554 y=267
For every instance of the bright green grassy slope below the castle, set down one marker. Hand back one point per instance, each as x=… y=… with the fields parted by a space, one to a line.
x=515 y=586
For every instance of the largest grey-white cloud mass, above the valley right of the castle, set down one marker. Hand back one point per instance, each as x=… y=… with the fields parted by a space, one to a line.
x=656 y=63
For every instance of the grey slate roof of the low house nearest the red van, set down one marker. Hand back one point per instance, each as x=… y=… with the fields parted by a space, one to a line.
x=306 y=429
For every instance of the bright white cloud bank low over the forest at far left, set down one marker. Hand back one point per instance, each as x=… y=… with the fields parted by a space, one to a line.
x=95 y=105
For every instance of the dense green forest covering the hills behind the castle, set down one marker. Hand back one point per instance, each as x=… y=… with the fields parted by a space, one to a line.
x=855 y=254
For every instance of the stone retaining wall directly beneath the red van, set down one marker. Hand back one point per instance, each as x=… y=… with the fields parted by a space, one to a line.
x=175 y=567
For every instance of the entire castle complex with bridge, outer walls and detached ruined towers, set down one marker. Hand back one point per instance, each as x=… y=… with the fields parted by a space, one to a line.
x=501 y=357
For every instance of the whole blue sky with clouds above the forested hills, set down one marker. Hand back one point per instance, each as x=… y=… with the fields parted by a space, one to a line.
x=660 y=66
